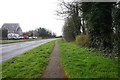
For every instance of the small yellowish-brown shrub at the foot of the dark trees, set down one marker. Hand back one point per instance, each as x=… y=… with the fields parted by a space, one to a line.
x=82 y=40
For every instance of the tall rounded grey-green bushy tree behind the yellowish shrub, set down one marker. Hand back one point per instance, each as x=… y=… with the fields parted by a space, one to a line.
x=72 y=24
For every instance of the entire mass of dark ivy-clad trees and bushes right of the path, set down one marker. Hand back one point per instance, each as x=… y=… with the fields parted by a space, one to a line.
x=100 y=21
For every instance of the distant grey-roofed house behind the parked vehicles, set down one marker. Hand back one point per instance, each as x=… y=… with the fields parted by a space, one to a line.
x=12 y=28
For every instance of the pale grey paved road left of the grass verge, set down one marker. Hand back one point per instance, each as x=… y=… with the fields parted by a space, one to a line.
x=8 y=51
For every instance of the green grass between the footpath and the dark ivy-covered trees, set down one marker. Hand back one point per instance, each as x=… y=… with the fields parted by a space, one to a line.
x=80 y=62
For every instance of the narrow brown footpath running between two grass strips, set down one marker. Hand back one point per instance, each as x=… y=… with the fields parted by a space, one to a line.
x=54 y=68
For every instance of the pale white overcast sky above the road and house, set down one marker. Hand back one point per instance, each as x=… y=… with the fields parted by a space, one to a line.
x=31 y=14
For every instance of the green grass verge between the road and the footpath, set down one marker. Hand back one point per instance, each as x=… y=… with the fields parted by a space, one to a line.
x=28 y=65
